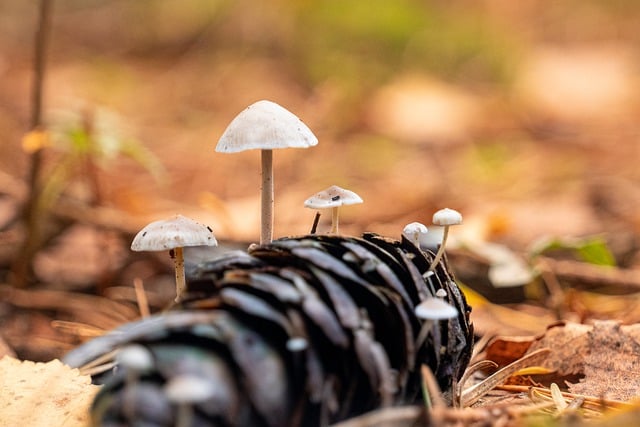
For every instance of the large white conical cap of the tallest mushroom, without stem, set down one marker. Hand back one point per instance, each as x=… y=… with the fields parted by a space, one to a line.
x=265 y=125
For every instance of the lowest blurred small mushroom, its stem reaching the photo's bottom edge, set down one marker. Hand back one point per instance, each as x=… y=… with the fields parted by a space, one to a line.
x=186 y=391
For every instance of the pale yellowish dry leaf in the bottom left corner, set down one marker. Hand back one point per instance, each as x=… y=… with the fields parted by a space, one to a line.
x=43 y=394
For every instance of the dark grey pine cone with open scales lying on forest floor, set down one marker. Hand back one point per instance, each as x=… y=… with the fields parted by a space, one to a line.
x=302 y=331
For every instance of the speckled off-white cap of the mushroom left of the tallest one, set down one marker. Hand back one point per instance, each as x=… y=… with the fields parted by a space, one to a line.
x=176 y=232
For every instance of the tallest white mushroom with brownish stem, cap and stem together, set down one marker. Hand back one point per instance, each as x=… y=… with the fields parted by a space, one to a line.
x=265 y=126
